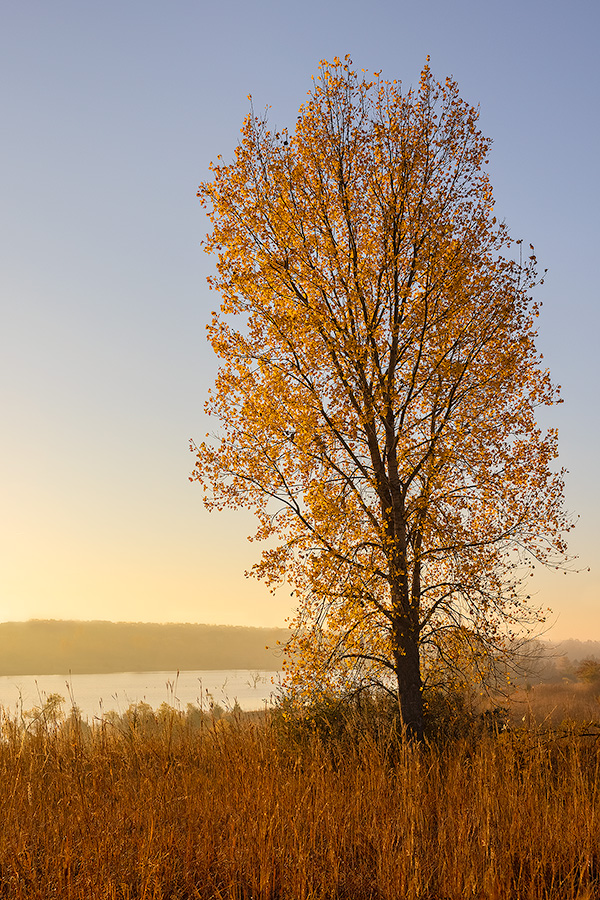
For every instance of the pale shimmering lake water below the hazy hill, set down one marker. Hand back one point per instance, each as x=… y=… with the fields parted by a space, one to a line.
x=97 y=694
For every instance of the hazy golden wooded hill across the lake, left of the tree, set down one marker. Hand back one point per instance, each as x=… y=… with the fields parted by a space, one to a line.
x=54 y=647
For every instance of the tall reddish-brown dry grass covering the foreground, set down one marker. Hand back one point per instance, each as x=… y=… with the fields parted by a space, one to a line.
x=196 y=805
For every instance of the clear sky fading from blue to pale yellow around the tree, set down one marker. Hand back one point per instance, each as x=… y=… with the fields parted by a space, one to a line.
x=111 y=114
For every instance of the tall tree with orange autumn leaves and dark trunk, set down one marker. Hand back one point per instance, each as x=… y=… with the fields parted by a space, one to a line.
x=379 y=382
